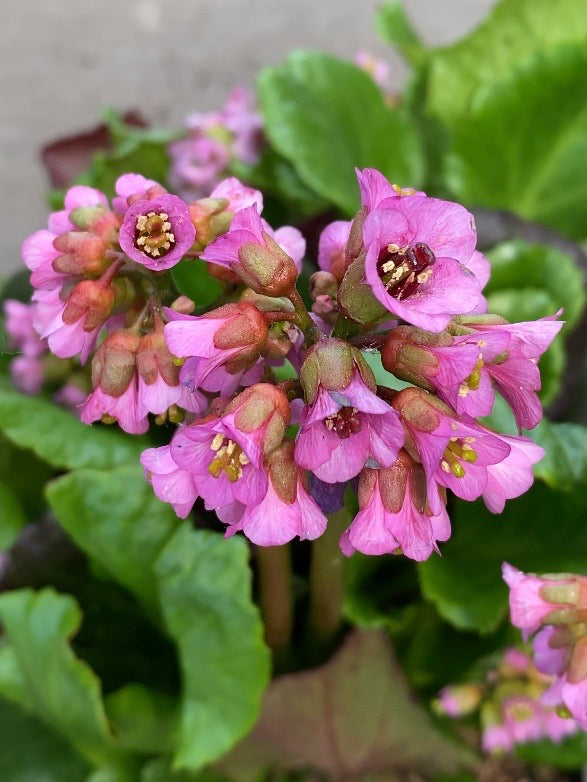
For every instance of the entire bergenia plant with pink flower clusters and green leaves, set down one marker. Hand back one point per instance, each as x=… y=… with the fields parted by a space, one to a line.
x=303 y=348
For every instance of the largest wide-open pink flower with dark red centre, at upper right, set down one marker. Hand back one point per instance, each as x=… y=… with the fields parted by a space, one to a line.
x=417 y=249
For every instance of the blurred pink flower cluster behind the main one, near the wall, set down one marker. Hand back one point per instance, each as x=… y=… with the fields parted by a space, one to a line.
x=201 y=159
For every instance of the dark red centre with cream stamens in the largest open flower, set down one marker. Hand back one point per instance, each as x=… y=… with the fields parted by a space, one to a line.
x=403 y=269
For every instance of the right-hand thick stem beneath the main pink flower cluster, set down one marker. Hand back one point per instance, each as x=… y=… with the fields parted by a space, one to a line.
x=327 y=584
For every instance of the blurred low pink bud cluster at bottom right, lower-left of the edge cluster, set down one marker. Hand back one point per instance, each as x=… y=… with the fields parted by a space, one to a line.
x=510 y=703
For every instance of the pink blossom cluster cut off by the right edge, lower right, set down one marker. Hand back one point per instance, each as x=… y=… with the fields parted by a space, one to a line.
x=551 y=609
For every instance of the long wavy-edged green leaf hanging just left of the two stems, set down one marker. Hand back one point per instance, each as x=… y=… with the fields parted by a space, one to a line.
x=205 y=589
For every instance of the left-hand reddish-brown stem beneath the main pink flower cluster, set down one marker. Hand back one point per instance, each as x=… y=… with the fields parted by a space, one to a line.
x=276 y=598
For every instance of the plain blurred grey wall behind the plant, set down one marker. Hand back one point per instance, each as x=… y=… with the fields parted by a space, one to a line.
x=62 y=61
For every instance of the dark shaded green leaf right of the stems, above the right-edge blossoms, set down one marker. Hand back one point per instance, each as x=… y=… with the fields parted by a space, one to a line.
x=543 y=531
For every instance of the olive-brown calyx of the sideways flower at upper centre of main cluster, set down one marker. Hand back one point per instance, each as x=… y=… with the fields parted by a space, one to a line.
x=267 y=268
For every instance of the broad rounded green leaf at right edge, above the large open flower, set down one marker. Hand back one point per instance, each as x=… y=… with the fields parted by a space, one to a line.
x=522 y=145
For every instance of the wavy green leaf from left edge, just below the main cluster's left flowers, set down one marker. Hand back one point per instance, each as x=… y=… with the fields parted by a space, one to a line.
x=61 y=439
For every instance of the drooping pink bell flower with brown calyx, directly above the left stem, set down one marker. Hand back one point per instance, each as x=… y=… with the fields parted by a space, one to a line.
x=286 y=511
